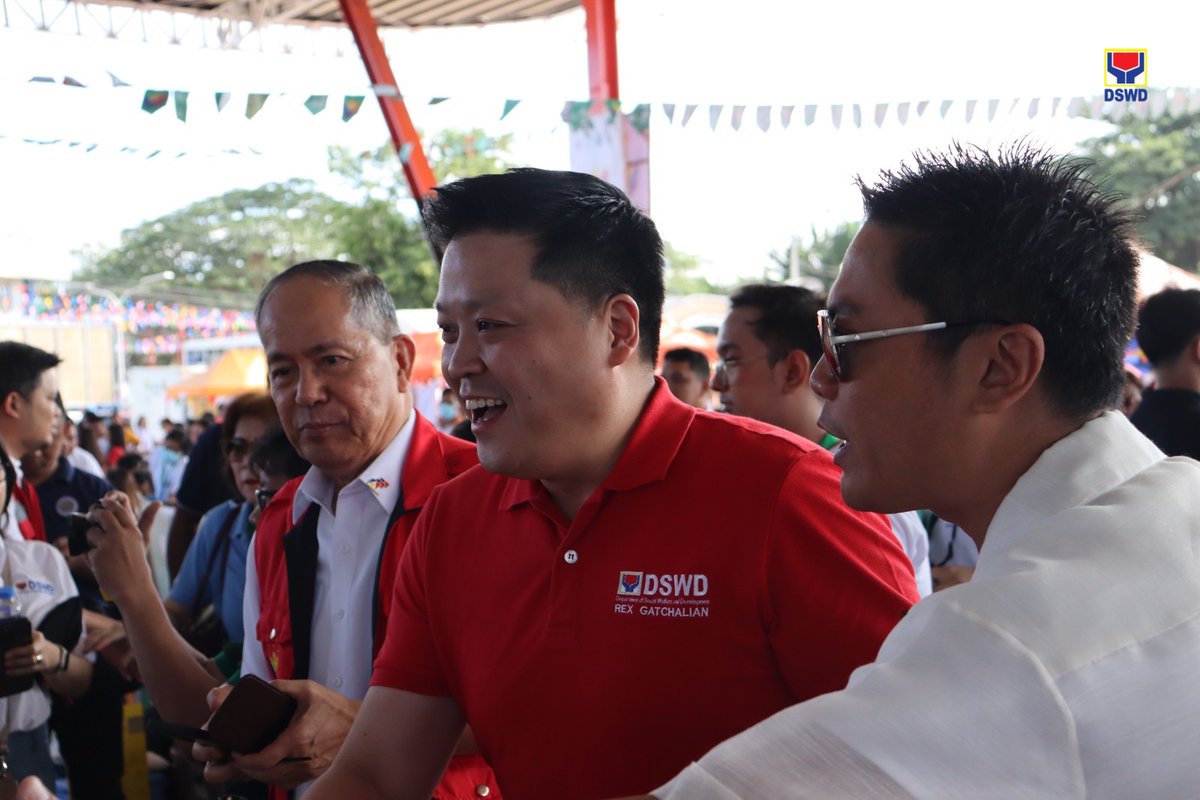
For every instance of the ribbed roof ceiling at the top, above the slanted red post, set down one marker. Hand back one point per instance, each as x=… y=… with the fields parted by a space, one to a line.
x=388 y=14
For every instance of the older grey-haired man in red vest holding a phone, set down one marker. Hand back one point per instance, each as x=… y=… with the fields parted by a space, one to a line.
x=319 y=579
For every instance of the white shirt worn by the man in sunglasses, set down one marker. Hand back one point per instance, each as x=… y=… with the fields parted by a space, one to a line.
x=1066 y=669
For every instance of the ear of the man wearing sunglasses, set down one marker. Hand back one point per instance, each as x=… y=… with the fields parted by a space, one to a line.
x=1012 y=358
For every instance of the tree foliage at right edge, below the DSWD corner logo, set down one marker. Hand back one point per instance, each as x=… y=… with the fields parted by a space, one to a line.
x=1157 y=164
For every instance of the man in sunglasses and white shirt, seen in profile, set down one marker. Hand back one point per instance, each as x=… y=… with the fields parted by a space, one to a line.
x=973 y=362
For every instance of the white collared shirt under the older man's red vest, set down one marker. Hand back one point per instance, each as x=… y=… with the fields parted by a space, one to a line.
x=349 y=554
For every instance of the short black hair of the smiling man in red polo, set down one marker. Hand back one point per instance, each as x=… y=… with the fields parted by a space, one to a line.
x=592 y=242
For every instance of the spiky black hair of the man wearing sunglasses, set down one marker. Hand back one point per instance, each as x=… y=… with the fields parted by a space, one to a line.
x=1021 y=237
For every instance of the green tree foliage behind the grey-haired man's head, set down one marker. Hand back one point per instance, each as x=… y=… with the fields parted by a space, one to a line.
x=225 y=249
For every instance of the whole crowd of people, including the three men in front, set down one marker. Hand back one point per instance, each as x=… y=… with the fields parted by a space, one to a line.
x=901 y=542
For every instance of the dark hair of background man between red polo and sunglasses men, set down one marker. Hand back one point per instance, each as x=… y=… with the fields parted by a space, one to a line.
x=788 y=318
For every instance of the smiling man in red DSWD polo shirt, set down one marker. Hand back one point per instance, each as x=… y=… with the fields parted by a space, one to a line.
x=646 y=578
